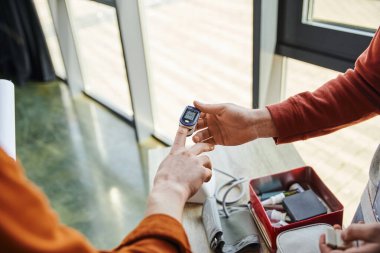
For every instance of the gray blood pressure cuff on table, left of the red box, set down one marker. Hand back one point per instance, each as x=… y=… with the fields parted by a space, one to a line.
x=236 y=233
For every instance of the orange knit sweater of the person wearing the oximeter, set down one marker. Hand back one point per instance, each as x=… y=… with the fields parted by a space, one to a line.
x=28 y=224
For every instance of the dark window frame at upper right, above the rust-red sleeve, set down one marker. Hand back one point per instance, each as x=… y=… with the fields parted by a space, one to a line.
x=327 y=45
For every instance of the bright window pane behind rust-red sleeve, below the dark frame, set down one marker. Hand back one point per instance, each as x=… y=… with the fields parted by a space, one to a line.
x=347 y=173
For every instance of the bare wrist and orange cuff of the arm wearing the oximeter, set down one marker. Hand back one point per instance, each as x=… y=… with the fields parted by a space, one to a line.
x=161 y=229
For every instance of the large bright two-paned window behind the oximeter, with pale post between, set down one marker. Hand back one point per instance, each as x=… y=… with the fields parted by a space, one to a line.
x=157 y=55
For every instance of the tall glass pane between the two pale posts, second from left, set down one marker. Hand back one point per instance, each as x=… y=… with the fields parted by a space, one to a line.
x=100 y=53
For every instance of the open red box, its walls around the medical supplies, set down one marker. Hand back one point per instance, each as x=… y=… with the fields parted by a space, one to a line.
x=304 y=176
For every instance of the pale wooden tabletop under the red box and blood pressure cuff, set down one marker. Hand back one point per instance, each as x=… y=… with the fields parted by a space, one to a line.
x=255 y=159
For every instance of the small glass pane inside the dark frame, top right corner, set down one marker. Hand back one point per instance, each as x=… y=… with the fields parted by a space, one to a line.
x=355 y=13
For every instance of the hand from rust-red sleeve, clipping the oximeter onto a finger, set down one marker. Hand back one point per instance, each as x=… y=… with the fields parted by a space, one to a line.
x=230 y=124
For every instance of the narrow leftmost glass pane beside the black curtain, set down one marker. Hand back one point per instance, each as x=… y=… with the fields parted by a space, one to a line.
x=50 y=36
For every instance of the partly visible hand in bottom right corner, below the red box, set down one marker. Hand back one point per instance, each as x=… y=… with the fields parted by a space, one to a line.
x=367 y=234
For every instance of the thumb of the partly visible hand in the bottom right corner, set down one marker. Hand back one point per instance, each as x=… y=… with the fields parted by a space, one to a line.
x=365 y=232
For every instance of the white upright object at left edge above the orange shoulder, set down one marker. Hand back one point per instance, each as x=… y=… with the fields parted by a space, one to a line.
x=7 y=118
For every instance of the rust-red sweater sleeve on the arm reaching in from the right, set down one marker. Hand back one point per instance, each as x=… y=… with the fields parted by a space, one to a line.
x=348 y=99
